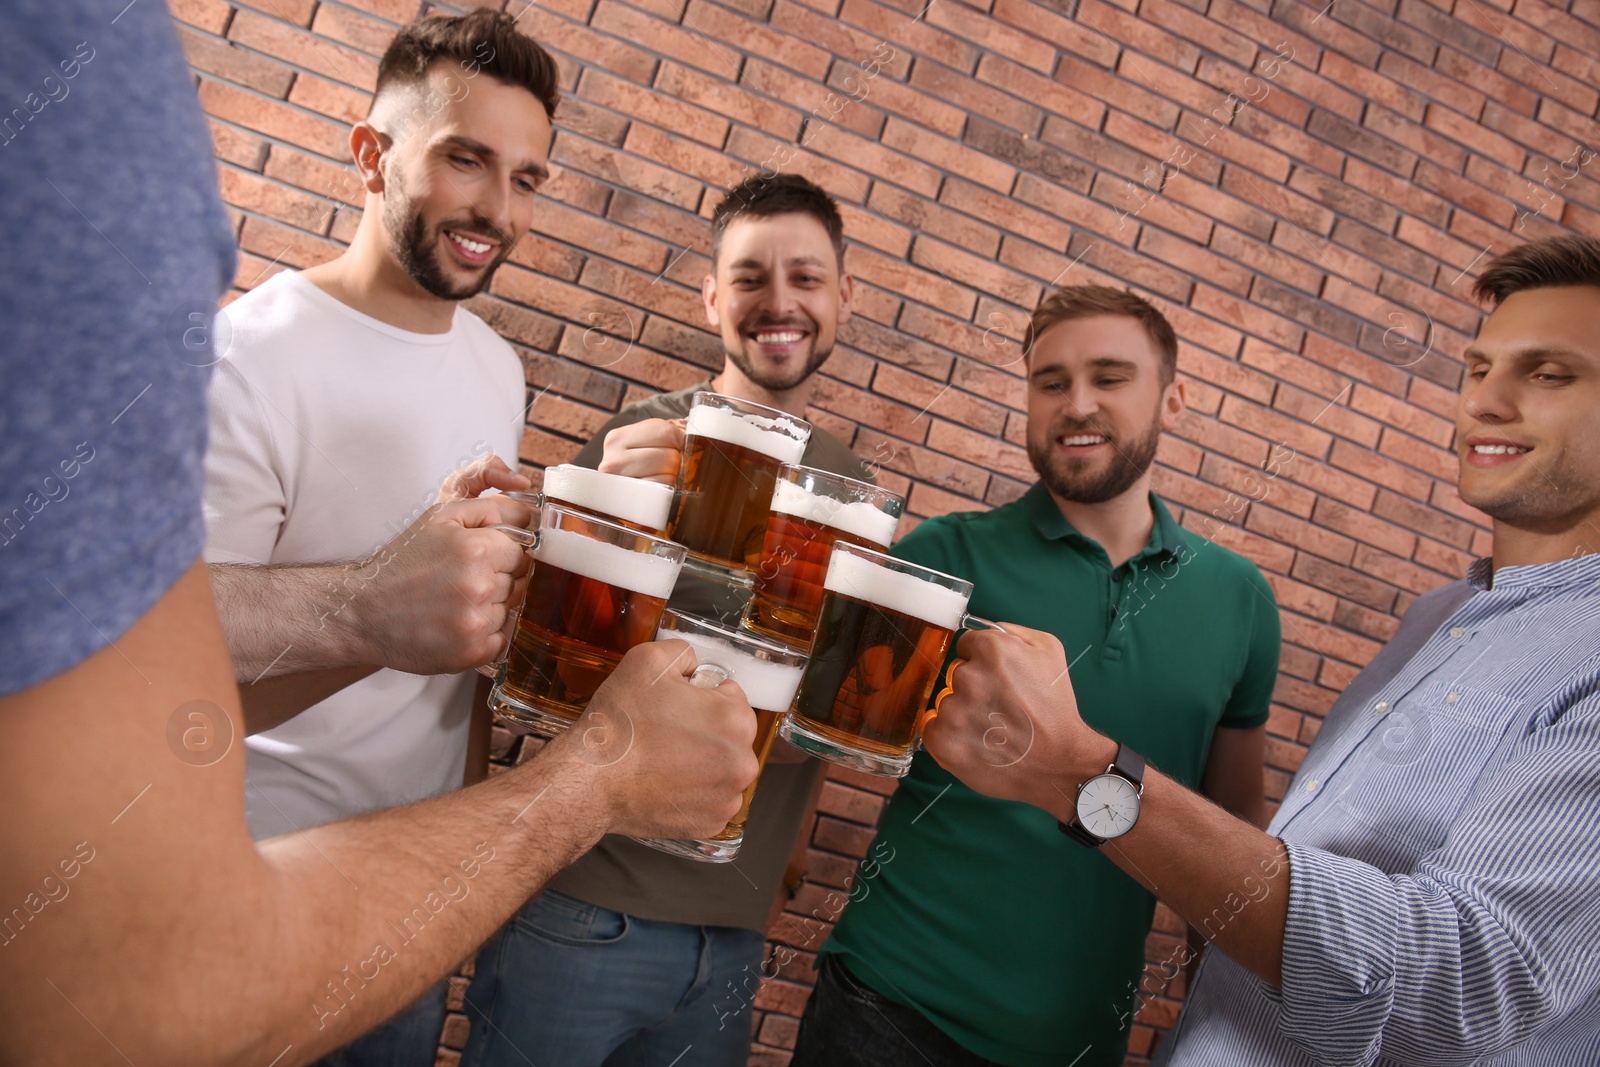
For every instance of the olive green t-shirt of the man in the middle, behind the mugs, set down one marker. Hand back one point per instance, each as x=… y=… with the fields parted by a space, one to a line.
x=638 y=881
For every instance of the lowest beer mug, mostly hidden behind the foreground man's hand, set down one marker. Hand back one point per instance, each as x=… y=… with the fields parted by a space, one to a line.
x=769 y=674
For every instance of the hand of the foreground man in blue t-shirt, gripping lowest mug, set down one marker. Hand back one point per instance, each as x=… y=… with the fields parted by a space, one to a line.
x=671 y=759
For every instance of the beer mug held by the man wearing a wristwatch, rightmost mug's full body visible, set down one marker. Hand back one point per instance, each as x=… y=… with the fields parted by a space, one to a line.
x=881 y=641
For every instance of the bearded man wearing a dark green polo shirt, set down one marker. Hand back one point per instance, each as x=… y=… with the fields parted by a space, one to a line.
x=994 y=937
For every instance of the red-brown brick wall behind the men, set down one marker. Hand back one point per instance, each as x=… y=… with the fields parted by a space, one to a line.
x=1305 y=190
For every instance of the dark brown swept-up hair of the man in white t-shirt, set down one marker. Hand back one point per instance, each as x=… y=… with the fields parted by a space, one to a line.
x=482 y=42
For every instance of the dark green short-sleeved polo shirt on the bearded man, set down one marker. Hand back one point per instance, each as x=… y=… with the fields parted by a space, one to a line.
x=1012 y=938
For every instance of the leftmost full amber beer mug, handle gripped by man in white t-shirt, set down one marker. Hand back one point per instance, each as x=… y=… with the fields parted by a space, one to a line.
x=598 y=589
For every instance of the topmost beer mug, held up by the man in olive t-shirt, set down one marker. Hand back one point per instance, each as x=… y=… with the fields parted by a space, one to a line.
x=732 y=454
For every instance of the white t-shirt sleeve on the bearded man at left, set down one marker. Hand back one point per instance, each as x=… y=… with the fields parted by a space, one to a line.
x=246 y=500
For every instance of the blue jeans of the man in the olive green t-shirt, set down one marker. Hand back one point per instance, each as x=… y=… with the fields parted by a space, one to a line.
x=569 y=985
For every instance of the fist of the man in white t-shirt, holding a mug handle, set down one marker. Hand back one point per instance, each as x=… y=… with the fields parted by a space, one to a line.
x=439 y=597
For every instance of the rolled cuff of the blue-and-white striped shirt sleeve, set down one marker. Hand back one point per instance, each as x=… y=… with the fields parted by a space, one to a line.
x=1338 y=957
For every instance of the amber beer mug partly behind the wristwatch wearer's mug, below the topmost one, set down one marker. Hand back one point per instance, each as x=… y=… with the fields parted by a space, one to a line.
x=812 y=510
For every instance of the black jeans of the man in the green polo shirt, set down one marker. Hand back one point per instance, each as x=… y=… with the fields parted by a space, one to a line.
x=849 y=1025
